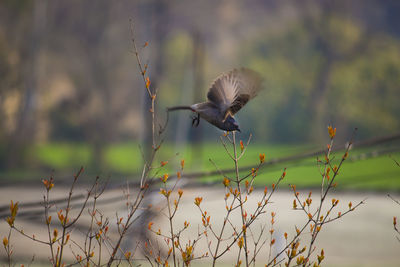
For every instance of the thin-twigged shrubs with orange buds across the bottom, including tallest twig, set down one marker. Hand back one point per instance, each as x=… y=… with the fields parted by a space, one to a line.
x=242 y=240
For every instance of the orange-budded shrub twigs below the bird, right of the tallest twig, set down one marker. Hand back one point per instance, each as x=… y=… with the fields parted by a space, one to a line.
x=238 y=238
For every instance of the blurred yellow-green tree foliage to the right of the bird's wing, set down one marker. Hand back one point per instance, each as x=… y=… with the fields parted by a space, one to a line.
x=302 y=66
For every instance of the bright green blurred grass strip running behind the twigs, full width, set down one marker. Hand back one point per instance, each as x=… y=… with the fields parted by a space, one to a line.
x=365 y=173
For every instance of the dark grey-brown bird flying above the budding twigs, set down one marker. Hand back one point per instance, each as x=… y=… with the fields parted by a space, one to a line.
x=226 y=96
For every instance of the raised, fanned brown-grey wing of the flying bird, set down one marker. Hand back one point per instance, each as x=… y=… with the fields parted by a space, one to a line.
x=232 y=90
